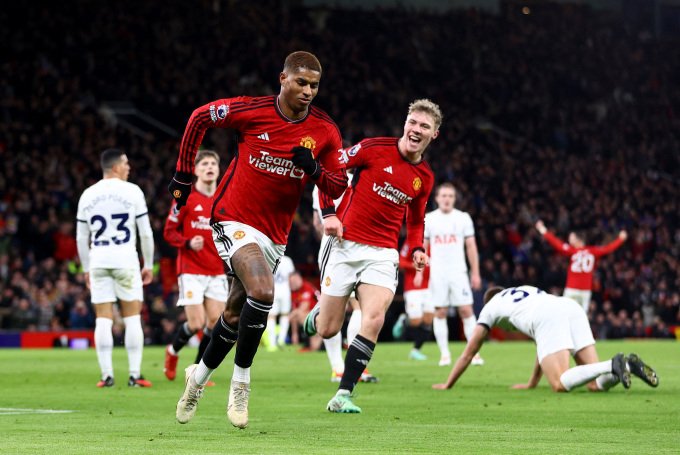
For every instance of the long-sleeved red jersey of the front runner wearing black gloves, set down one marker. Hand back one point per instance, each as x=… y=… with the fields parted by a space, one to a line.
x=262 y=187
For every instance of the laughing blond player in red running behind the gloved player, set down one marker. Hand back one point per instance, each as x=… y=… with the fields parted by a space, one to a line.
x=391 y=181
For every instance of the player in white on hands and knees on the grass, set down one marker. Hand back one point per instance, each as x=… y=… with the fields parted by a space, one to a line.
x=560 y=327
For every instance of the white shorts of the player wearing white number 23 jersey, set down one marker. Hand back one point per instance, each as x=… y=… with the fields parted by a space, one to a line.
x=110 y=285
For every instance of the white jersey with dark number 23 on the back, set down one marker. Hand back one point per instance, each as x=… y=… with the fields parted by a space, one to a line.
x=110 y=209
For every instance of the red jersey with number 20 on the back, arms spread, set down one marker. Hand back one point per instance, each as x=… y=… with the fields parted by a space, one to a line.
x=583 y=260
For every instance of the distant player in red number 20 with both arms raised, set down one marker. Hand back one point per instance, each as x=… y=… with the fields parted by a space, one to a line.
x=583 y=260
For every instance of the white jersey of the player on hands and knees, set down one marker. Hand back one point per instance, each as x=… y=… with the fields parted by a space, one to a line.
x=514 y=309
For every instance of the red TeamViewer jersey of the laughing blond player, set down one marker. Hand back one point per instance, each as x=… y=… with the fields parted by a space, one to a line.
x=384 y=186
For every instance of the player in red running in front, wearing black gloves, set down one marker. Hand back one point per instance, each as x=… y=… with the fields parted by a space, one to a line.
x=284 y=142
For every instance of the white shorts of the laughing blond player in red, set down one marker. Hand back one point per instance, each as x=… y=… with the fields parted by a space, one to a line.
x=348 y=264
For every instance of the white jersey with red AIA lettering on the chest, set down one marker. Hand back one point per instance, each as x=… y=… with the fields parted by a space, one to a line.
x=447 y=233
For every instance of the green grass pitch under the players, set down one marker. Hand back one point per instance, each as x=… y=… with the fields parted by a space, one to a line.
x=401 y=414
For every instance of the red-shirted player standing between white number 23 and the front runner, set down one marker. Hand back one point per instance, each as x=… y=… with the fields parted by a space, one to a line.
x=202 y=282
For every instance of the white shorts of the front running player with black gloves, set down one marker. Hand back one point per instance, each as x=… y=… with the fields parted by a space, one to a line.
x=229 y=236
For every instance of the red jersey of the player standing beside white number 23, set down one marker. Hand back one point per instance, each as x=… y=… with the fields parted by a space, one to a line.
x=182 y=225
